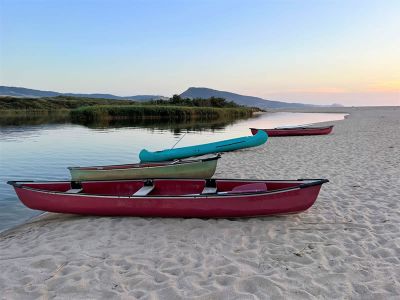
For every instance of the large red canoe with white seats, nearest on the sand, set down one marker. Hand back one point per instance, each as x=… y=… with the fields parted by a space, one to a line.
x=171 y=197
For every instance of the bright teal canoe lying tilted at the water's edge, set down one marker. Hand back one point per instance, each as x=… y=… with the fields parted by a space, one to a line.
x=216 y=147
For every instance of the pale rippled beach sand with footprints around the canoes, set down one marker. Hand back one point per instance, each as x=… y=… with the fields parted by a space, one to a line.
x=346 y=246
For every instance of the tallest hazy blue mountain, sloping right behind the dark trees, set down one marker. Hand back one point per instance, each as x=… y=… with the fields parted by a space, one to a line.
x=194 y=92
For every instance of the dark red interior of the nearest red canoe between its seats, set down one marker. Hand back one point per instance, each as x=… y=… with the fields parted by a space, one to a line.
x=162 y=187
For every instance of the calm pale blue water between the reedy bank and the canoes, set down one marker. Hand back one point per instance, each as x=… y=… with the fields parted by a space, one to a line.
x=42 y=152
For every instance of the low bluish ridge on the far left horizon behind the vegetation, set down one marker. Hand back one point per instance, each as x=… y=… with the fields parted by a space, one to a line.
x=23 y=92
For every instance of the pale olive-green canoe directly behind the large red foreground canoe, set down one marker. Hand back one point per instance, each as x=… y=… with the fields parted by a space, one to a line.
x=204 y=168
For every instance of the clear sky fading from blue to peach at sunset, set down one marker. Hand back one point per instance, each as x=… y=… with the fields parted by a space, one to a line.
x=315 y=51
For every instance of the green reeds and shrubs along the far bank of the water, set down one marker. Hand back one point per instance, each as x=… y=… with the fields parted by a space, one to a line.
x=89 y=110
